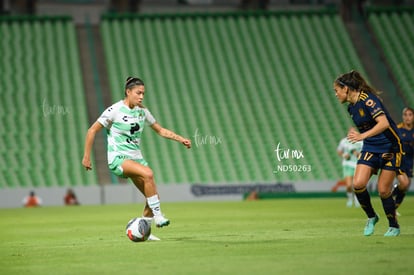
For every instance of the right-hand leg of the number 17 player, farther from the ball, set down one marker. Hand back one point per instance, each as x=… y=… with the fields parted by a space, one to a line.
x=385 y=181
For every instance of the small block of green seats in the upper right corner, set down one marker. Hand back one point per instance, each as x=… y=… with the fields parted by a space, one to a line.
x=393 y=28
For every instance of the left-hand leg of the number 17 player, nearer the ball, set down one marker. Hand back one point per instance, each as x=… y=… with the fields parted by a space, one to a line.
x=362 y=175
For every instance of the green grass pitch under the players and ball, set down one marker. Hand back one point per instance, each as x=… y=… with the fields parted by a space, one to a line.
x=280 y=236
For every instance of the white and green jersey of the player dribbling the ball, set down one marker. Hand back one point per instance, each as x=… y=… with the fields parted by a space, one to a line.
x=125 y=126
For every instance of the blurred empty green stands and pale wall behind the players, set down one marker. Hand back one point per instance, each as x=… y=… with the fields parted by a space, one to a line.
x=247 y=81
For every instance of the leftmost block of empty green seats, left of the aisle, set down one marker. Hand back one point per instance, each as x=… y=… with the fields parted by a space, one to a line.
x=43 y=107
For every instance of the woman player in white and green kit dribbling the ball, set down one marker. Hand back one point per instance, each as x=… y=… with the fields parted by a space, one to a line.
x=125 y=122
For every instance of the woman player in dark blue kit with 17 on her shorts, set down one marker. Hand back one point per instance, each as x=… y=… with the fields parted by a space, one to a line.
x=382 y=147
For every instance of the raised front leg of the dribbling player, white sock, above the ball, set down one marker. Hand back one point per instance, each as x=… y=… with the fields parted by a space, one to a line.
x=143 y=178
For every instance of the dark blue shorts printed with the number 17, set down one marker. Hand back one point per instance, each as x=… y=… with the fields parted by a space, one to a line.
x=383 y=161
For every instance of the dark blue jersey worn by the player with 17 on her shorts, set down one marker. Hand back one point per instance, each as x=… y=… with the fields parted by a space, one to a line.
x=363 y=113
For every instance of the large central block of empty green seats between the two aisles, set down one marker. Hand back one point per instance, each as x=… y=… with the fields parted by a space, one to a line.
x=237 y=84
